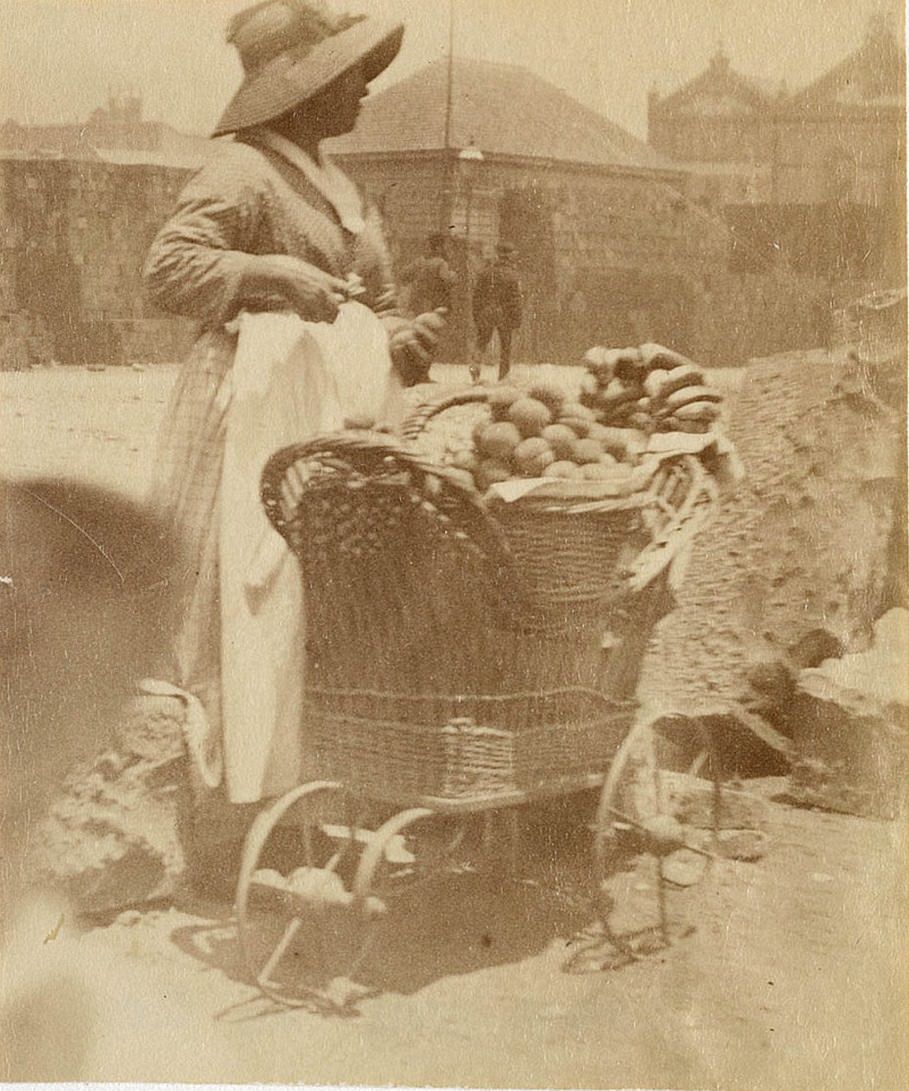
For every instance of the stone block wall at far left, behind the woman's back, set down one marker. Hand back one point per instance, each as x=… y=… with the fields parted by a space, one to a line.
x=75 y=241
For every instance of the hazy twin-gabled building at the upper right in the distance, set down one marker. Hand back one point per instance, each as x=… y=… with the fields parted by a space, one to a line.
x=816 y=177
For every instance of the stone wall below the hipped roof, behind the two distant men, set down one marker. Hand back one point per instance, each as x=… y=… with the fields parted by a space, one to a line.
x=602 y=253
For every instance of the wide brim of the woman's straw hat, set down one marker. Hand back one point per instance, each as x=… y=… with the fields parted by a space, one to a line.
x=285 y=82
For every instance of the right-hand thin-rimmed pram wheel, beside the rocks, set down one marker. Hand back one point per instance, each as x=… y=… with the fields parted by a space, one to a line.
x=647 y=810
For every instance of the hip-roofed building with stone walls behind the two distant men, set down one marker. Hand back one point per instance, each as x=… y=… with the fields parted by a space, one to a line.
x=607 y=245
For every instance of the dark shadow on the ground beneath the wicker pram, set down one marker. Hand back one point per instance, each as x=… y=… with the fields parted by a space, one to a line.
x=452 y=925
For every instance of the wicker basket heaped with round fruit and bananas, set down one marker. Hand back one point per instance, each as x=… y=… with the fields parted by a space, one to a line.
x=593 y=493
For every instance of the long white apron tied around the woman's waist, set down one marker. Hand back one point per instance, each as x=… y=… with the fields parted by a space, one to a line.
x=292 y=380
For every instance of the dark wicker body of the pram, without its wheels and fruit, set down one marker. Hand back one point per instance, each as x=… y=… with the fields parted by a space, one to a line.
x=460 y=654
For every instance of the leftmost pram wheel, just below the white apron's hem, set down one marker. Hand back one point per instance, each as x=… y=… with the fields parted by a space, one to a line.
x=298 y=927
